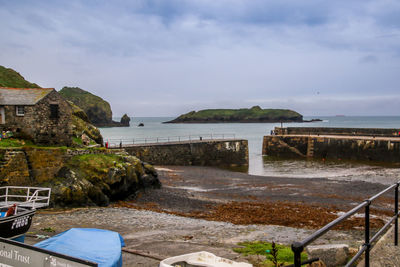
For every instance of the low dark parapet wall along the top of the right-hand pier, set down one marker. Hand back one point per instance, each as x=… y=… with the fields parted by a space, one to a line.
x=337 y=131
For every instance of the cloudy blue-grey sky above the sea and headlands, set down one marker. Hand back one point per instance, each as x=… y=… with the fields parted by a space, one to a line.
x=168 y=57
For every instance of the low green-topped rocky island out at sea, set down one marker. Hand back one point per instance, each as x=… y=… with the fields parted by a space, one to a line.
x=243 y=115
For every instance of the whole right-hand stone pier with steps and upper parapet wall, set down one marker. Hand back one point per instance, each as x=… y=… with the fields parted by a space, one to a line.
x=319 y=144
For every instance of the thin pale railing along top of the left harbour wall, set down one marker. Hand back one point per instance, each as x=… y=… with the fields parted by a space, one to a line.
x=168 y=139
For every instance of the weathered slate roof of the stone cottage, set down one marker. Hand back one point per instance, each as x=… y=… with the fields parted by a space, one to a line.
x=22 y=96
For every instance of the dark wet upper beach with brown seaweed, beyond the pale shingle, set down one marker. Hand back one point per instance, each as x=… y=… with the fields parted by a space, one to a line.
x=222 y=195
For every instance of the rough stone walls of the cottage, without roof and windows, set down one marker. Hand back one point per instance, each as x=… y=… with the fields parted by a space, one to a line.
x=37 y=123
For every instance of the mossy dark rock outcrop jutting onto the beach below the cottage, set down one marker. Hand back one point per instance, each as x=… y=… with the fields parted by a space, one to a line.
x=82 y=182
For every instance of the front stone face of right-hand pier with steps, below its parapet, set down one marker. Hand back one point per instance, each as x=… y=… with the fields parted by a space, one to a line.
x=362 y=149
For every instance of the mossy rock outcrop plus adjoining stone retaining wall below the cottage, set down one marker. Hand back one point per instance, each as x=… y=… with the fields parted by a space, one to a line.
x=78 y=177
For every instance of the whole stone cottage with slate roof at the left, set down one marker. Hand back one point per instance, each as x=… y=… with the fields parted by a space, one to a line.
x=39 y=114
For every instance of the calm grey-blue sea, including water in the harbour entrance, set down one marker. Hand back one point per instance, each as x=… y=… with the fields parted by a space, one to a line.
x=254 y=133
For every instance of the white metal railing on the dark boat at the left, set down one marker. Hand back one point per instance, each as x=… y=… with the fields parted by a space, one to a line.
x=24 y=196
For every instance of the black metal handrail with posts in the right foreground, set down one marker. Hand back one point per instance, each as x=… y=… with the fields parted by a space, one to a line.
x=298 y=247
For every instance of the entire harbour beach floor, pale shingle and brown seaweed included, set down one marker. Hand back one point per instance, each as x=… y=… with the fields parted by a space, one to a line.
x=210 y=209
